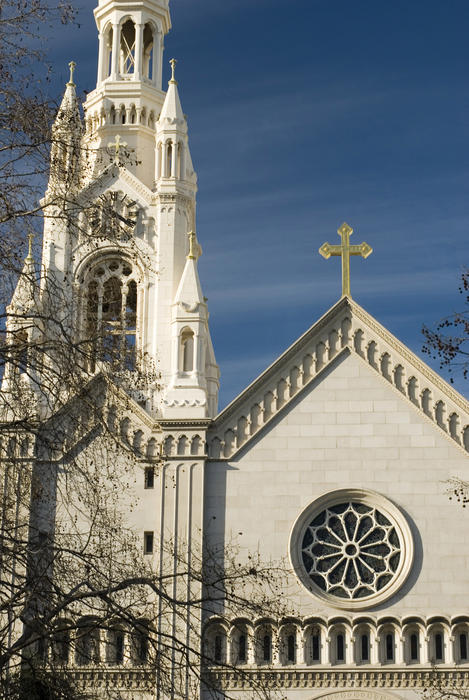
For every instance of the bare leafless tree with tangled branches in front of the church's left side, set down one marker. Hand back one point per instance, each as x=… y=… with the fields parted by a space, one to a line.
x=72 y=569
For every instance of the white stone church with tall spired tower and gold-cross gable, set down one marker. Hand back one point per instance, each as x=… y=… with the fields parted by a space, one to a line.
x=335 y=460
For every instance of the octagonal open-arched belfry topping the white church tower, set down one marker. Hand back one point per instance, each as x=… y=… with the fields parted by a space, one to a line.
x=128 y=97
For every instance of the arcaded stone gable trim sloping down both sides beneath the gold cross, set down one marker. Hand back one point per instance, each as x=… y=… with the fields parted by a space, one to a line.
x=345 y=328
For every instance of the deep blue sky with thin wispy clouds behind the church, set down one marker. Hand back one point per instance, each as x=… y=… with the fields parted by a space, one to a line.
x=303 y=114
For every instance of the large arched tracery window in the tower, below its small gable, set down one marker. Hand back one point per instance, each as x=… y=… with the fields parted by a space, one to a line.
x=111 y=316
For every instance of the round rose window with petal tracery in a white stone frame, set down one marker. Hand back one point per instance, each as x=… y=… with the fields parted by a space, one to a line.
x=352 y=548
